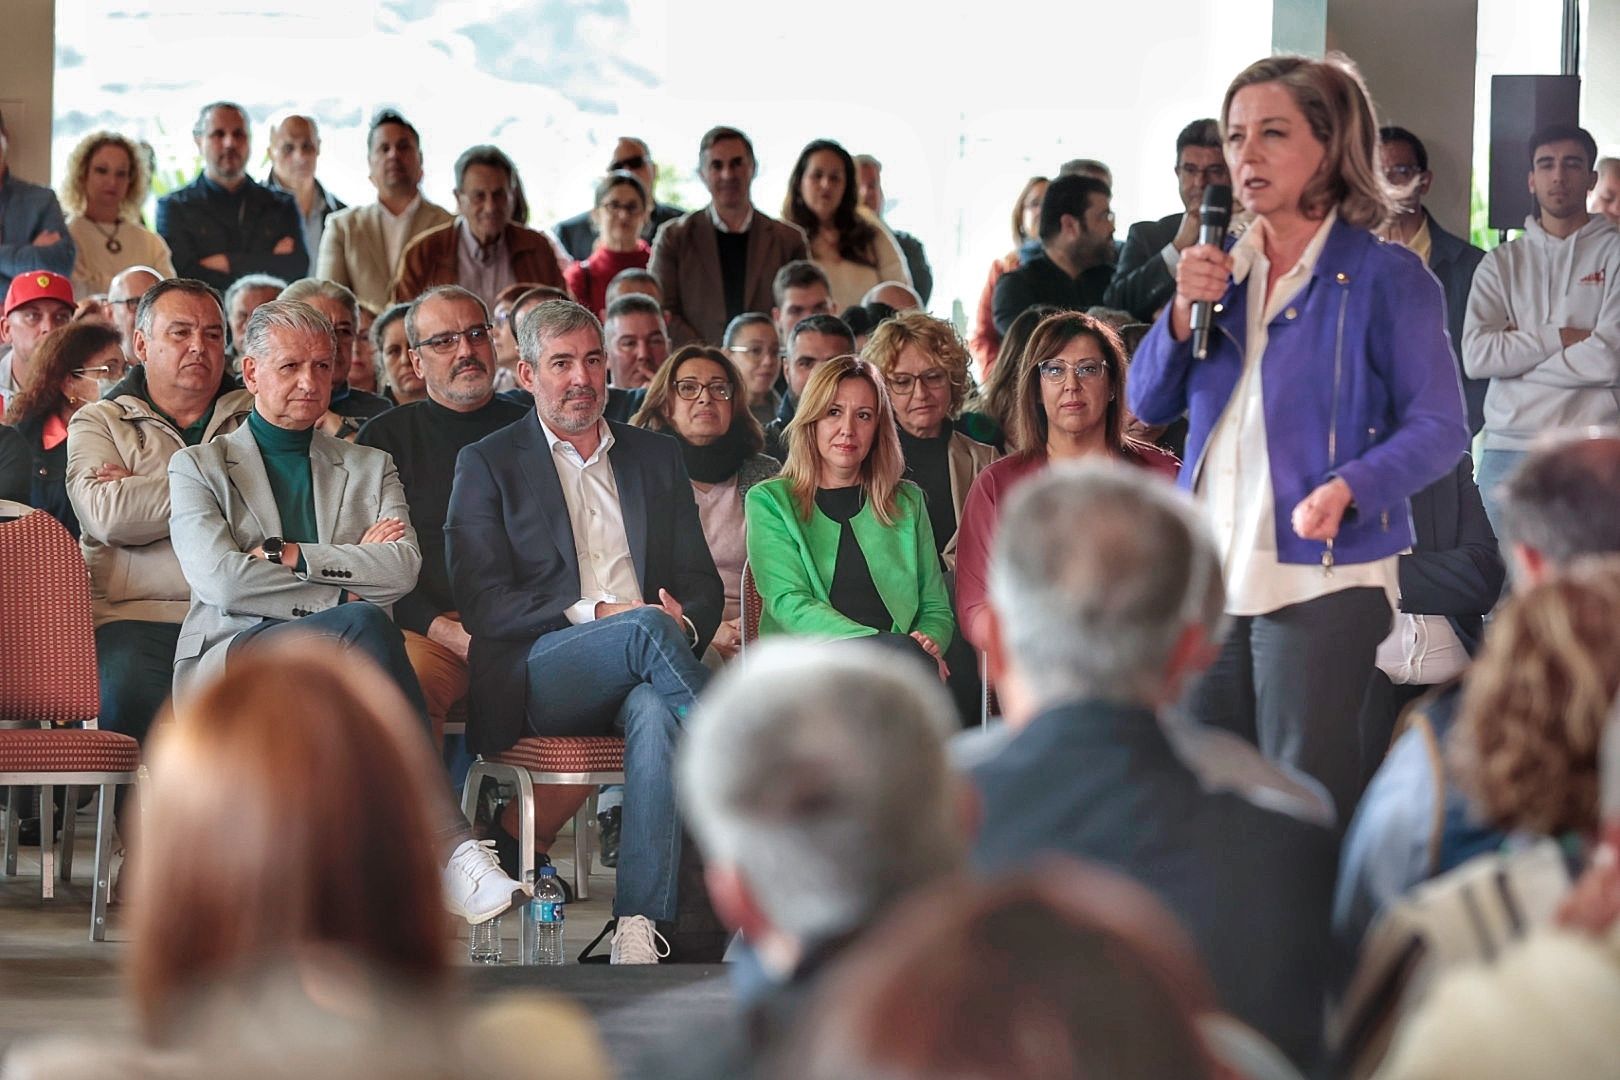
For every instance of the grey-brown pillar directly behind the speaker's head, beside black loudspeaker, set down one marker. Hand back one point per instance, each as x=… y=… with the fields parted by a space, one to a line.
x=1423 y=80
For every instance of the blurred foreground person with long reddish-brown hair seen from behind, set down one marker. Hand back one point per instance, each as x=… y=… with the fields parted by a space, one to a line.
x=286 y=914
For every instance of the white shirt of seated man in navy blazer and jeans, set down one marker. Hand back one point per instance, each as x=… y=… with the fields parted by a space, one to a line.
x=600 y=543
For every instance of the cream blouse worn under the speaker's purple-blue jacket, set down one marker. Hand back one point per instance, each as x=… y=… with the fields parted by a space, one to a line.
x=1235 y=483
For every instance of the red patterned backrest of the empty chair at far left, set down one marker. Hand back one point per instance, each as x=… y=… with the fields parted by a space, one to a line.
x=48 y=636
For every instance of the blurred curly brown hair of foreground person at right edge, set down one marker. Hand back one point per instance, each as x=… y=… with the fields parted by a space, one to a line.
x=1538 y=699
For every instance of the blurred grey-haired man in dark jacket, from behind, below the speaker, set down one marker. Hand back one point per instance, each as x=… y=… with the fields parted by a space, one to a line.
x=1091 y=640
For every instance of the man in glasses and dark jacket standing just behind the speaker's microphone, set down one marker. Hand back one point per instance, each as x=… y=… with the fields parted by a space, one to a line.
x=1146 y=278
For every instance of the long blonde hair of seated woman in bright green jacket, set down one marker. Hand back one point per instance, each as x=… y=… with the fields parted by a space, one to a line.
x=885 y=466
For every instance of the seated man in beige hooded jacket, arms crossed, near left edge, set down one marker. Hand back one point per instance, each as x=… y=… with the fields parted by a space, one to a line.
x=119 y=454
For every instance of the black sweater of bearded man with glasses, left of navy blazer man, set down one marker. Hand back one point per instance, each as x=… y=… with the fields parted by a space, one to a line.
x=425 y=440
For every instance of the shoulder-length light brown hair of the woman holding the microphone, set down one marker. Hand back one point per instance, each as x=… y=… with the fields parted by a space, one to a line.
x=1339 y=109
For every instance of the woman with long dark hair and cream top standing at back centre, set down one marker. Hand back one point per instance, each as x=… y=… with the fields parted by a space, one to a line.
x=848 y=242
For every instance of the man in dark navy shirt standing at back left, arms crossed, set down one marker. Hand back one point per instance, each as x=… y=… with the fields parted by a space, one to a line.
x=224 y=224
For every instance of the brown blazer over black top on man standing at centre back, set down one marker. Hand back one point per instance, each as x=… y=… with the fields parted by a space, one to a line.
x=686 y=263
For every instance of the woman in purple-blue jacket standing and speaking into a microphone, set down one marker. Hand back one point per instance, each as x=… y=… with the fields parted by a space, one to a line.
x=1326 y=399
